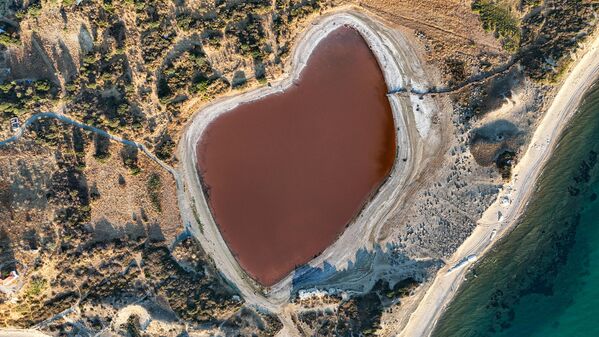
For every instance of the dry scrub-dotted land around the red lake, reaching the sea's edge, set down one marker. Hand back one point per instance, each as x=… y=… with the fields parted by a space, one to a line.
x=105 y=228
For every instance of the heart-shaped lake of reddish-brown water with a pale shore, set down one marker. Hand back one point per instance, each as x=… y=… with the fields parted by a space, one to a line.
x=285 y=174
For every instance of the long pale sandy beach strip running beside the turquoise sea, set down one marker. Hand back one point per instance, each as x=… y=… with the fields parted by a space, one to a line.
x=511 y=202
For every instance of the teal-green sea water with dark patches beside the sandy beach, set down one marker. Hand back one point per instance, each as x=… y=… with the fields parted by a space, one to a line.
x=542 y=279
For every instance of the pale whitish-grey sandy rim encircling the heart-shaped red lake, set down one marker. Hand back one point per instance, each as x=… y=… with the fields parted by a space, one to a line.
x=402 y=69
